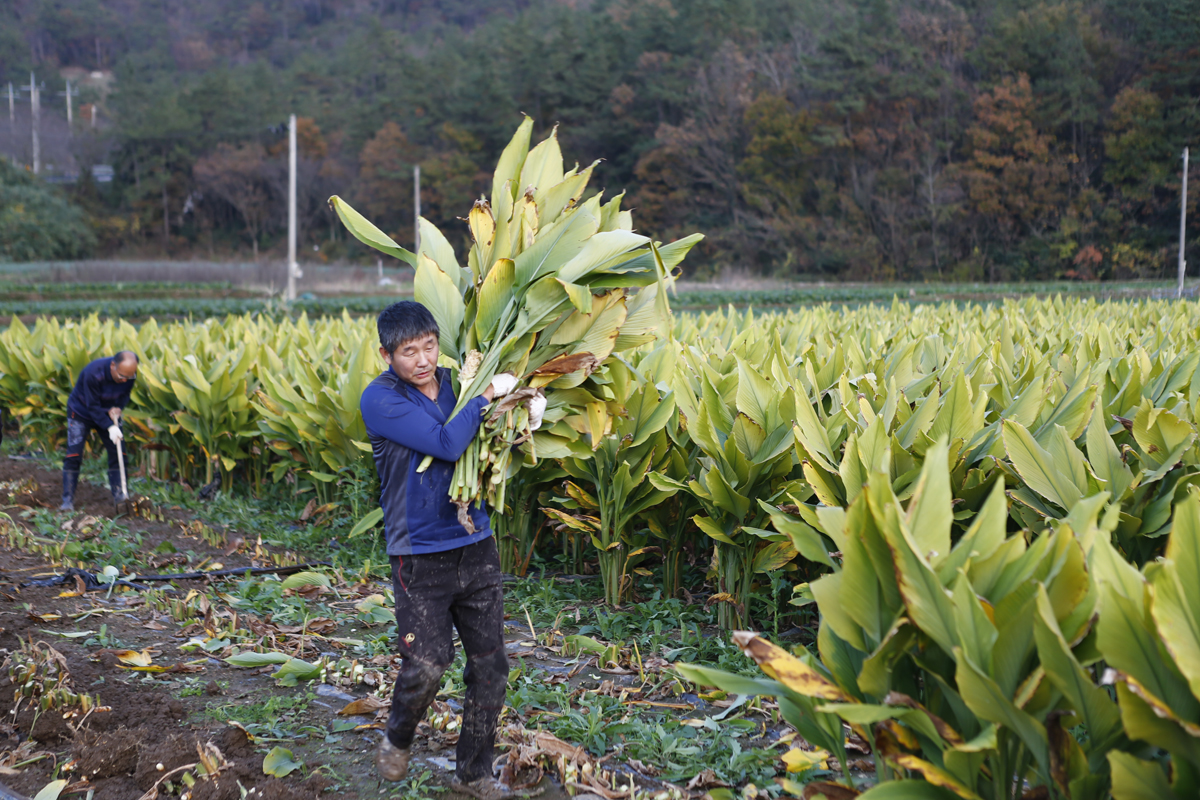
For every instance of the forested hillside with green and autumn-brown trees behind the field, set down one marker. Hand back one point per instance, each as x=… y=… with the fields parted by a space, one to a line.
x=844 y=140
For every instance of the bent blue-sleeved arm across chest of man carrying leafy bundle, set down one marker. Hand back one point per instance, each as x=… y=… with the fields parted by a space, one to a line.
x=409 y=425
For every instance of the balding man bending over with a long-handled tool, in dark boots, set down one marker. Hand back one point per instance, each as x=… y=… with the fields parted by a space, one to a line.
x=95 y=405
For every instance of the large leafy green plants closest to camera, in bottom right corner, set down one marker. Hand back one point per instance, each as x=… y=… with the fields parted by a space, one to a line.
x=983 y=665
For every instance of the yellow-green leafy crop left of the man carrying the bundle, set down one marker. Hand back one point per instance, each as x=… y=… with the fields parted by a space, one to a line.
x=274 y=400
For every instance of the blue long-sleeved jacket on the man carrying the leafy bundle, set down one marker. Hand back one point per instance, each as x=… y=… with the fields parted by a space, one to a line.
x=405 y=426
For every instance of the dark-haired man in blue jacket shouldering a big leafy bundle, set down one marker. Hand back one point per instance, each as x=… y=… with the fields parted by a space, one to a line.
x=443 y=574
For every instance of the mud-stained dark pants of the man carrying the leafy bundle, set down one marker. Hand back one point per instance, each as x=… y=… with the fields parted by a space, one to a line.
x=459 y=588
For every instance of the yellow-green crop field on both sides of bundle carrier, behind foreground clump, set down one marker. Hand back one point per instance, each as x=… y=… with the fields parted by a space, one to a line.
x=757 y=424
